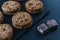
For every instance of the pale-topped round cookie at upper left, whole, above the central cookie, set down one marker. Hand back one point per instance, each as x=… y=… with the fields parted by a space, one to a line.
x=11 y=7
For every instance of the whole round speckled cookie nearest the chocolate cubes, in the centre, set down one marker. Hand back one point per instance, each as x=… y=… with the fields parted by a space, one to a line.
x=21 y=20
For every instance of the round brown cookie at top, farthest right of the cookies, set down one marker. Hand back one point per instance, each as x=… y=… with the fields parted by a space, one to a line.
x=34 y=6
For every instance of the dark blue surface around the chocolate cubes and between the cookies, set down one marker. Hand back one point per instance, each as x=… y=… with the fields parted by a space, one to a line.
x=54 y=7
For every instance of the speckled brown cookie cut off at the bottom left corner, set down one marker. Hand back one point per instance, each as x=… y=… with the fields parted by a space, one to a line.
x=5 y=32
